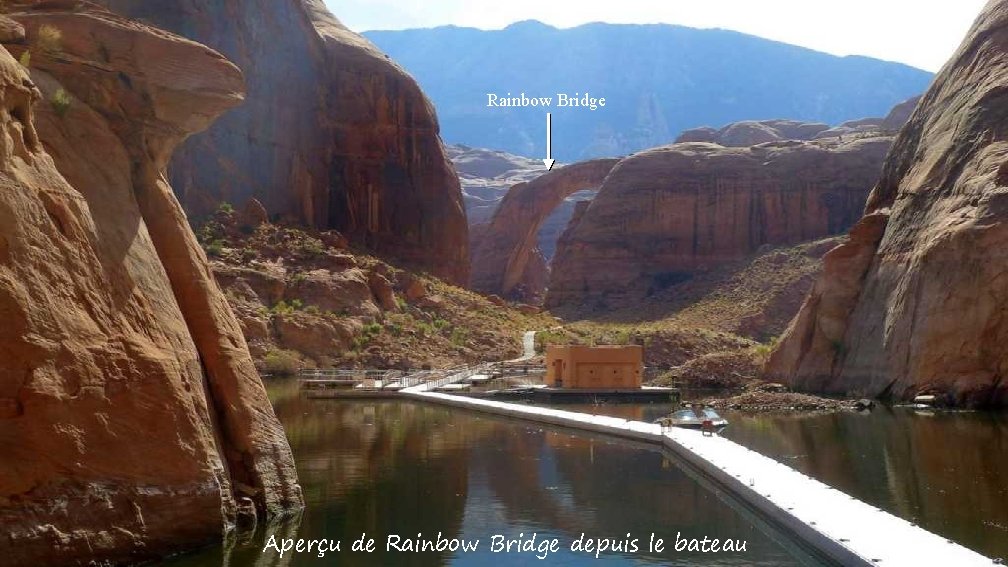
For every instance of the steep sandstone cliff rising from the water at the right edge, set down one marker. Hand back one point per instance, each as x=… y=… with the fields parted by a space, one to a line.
x=916 y=301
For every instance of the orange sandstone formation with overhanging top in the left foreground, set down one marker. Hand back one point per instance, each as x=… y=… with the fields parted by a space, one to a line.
x=133 y=420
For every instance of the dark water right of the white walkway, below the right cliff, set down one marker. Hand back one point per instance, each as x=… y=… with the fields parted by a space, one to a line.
x=947 y=472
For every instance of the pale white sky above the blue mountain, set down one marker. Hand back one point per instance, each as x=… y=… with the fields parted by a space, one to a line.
x=920 y=33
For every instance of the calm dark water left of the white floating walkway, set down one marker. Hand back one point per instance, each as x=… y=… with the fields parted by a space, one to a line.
x=404 y=469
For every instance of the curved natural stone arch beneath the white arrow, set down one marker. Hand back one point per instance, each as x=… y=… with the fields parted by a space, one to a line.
x=503 y=249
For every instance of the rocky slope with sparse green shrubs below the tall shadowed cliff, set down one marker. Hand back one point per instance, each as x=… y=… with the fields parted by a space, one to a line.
x=451 y=326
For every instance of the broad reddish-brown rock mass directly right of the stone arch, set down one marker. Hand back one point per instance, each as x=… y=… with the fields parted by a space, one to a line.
x=666 y=214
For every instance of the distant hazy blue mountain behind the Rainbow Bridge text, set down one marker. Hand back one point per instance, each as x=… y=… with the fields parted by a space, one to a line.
x=658 y=81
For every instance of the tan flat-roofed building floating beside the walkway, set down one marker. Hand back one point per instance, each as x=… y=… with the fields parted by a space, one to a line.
x=595 y=368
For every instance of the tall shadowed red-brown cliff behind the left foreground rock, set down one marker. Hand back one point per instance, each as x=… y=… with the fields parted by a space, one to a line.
x=333 y=134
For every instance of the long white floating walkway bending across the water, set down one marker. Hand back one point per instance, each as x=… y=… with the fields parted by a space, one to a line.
x=838 y=526
